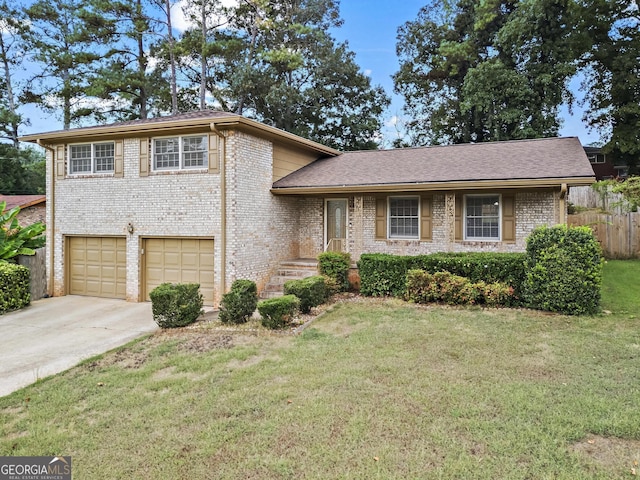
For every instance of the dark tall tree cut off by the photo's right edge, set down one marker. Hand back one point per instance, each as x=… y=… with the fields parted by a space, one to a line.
x=612 y=78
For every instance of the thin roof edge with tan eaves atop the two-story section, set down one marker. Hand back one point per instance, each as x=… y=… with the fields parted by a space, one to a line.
x=190 y=122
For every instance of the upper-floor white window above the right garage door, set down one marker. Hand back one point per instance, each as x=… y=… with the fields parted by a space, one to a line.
x=177 y=153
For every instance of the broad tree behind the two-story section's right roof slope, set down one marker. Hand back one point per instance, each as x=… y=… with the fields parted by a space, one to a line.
x=278 y=64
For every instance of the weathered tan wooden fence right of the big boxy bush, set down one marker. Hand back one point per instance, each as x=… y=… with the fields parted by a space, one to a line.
x=618 y=235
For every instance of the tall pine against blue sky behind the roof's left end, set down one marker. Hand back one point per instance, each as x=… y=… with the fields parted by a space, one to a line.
x=67 y=50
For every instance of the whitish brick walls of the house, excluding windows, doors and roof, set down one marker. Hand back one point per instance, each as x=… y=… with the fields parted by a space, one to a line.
x=256 y=230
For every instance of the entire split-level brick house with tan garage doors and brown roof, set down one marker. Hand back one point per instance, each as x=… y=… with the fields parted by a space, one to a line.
x=211 y=197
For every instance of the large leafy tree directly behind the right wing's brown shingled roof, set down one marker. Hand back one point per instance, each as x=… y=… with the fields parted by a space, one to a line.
x=481 y=71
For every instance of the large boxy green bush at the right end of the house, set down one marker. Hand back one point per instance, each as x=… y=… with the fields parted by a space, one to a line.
x=564 y=270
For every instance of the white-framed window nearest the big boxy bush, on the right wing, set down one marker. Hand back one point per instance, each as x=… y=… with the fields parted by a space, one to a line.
x=482 y=217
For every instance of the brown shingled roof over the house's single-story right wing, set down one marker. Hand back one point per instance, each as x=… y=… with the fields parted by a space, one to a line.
x=518 y=163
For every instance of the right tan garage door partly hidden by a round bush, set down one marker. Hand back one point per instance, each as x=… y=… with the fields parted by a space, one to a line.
x=179 y=261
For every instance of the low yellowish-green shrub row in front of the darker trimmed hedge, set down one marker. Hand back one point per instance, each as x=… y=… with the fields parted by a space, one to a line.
x=445 y=287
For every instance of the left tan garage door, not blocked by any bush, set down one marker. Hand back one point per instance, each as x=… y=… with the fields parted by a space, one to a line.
x=97 y=266
